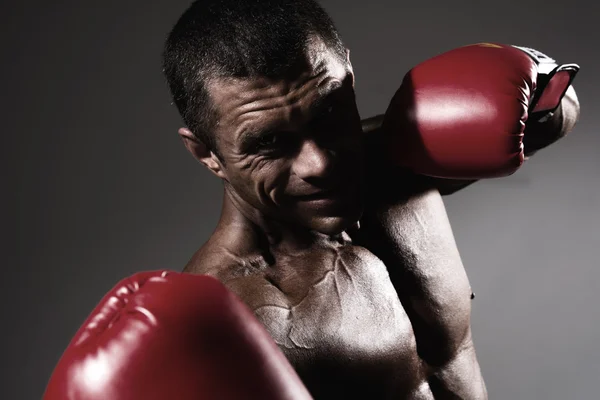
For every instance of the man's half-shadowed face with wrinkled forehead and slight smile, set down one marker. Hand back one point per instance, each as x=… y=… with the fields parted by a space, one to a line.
x=291 y=148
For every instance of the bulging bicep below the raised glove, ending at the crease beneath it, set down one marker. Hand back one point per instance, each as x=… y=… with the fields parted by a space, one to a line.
x=415 y=241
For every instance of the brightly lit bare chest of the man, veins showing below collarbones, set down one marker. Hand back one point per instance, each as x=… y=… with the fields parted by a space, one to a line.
x=342 y=296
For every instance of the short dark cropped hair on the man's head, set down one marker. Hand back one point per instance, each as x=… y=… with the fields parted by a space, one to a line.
x=240 y=39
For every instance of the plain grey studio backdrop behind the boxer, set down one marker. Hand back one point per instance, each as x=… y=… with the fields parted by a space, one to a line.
x=99 y=186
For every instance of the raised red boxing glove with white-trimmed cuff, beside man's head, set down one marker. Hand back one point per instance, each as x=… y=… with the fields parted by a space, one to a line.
x=461 y=115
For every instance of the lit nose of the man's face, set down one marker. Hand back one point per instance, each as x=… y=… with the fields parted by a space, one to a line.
x=313 y=161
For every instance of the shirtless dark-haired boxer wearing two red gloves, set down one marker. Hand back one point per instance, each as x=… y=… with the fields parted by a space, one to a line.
x=333 y=231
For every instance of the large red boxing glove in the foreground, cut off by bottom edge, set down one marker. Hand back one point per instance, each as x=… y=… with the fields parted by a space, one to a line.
x=165 y=335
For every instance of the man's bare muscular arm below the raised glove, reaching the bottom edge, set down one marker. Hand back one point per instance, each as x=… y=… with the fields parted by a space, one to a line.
x=411 y=234
